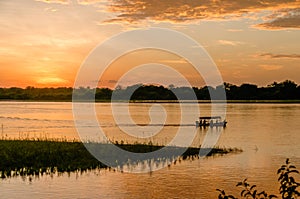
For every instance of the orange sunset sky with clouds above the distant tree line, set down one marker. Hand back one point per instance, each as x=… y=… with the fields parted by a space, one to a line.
x=44 y=42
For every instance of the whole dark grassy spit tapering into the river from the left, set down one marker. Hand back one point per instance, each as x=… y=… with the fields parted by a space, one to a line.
x=39 y=157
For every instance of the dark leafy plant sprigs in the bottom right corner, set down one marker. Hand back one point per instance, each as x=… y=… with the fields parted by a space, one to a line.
x=289 y=188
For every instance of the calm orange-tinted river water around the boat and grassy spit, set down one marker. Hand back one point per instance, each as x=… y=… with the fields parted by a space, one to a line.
x=267 y=133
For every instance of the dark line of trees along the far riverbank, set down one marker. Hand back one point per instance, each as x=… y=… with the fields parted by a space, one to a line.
x=286 y=90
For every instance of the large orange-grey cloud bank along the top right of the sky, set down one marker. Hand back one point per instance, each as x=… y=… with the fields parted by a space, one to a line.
x=134 y=11
